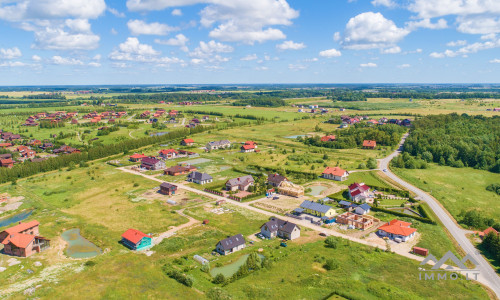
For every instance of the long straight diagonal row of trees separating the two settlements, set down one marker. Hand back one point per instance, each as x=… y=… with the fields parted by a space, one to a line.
x=31 y=168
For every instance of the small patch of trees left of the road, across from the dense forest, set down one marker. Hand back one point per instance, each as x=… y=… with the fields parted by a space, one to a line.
x=353 y=137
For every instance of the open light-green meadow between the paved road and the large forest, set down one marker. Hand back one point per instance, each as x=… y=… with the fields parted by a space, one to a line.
x=458 y=189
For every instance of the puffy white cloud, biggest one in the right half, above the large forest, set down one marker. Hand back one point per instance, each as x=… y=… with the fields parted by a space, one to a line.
x=371 y=30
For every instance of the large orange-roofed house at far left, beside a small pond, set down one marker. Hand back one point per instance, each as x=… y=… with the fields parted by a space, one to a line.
x=23 y=239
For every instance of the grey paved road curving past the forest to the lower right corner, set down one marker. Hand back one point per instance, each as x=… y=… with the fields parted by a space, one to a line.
x=487 y=276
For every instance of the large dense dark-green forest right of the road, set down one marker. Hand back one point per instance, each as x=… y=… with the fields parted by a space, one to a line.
x=457 y=141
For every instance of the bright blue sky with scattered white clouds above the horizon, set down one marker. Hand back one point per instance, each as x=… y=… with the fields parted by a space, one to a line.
x=82 y=42
